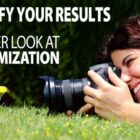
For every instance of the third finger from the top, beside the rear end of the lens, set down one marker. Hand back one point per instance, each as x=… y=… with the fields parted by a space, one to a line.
x=91 y=92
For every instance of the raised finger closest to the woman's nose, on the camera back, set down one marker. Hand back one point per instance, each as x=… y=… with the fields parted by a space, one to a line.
x=114 y=78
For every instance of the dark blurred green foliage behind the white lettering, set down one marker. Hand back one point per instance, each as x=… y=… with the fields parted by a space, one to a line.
x=78 y=45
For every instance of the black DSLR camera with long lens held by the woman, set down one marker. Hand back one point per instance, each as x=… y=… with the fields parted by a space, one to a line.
x=62 y=95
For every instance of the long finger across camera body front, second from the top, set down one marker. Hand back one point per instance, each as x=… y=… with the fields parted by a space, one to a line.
x=99 y=81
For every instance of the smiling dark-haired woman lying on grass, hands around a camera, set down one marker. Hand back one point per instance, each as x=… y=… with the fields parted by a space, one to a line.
x=116 y=101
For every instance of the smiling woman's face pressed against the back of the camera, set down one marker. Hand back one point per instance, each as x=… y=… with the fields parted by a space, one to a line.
x=128 y=61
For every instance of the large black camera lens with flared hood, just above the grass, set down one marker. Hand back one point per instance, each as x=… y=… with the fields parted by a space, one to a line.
x=62 y=95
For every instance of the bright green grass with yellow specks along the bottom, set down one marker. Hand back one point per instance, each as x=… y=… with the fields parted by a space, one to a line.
x=34 y=124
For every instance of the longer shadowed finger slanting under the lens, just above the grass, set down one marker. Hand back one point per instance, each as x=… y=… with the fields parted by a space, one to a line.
x=84 y=109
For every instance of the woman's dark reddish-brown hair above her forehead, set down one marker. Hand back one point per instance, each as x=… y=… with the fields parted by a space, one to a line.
x=126 y=36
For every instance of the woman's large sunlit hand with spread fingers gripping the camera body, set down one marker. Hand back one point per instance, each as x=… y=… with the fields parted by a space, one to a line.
x=109 y=101
